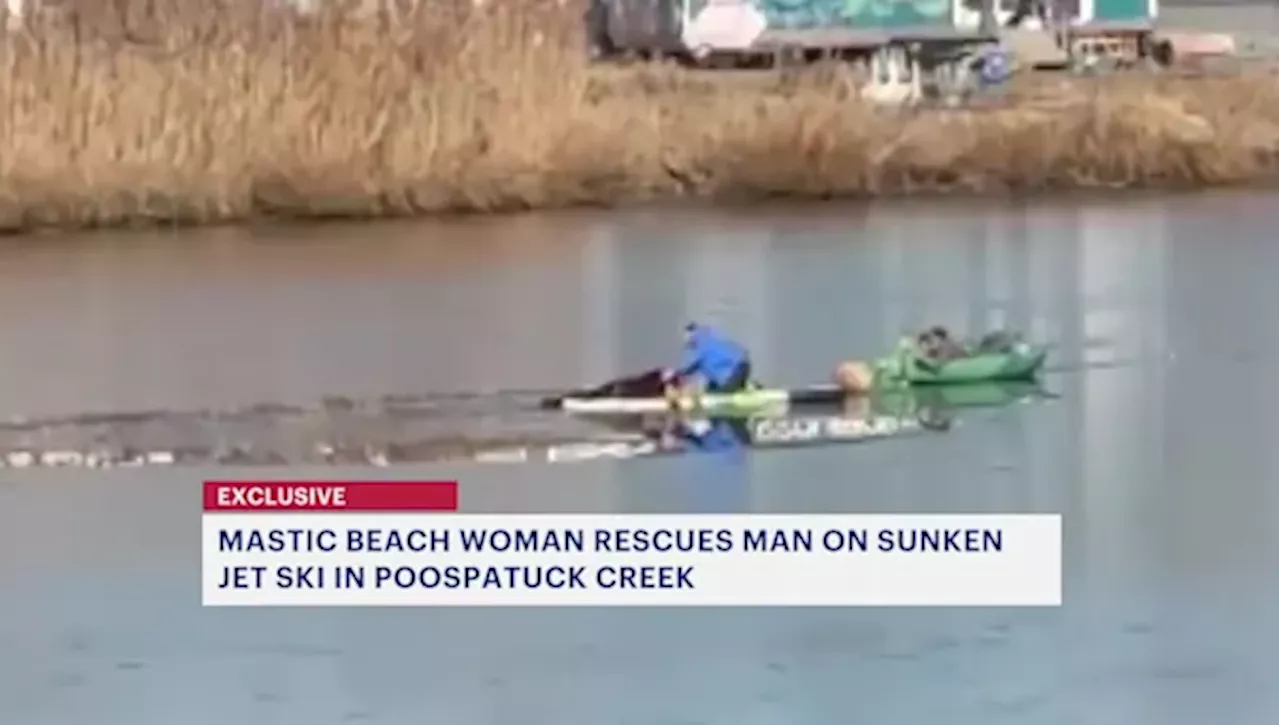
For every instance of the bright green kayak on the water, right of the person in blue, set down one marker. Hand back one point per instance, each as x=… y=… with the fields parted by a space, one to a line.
x=908 y=367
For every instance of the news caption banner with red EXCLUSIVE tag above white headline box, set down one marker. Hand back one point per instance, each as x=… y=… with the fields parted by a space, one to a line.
x=385 y=544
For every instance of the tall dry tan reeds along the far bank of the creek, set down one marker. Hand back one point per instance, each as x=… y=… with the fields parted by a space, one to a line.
x=204 y=111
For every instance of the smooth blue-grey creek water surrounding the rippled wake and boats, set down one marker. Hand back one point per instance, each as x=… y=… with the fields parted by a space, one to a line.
x=1162 y=457
